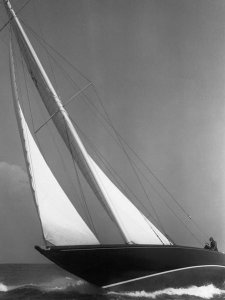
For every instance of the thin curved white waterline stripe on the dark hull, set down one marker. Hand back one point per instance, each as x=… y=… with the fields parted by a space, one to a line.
x=161 y=273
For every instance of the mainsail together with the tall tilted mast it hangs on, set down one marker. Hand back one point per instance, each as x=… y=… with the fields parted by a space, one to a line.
x=132 y=224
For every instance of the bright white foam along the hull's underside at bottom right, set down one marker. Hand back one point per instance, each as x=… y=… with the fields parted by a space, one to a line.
x=205 y=292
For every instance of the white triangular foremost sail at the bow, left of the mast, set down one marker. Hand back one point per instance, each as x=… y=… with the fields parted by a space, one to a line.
x=61 y=223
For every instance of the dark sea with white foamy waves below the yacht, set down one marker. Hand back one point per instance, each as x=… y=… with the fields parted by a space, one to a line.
x=40 y=281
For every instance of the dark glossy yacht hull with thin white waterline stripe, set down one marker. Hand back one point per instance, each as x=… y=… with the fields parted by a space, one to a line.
x=143 y=267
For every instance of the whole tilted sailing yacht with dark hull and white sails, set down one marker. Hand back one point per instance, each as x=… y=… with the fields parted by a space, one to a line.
x=147 y=258
